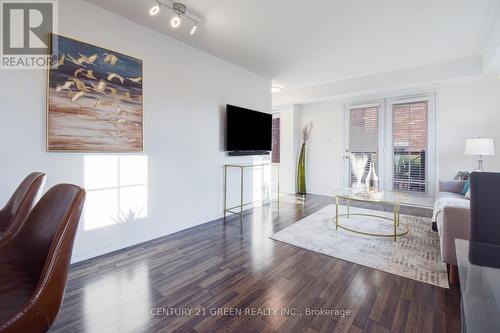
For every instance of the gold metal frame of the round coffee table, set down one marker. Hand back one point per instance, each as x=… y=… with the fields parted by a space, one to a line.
x=353 y=197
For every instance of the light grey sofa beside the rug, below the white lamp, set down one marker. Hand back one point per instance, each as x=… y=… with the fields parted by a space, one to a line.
x=453 y=221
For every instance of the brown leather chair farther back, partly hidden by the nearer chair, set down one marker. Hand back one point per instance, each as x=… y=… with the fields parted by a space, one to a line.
x=24 y=198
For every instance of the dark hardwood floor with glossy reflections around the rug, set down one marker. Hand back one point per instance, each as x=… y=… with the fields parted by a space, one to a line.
x=235 y=267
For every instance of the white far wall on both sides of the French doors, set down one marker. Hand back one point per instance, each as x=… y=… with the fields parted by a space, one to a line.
x=462 y=111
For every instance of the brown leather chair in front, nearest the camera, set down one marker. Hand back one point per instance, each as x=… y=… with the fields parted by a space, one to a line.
x=34 y=262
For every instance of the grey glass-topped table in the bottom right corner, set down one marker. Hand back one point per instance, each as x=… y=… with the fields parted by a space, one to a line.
x=480 y=289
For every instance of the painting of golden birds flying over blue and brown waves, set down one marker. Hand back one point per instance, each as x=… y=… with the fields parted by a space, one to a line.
x=94 y=99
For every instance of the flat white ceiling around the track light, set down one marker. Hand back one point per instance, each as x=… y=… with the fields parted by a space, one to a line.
x=309 y=42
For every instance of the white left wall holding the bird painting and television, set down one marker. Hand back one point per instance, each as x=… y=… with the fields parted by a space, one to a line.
x=185 y=91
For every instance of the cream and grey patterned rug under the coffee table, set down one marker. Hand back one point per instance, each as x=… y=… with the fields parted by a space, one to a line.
x=415 y=255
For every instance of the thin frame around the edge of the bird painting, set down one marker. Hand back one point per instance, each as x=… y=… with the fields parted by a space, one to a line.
x=137 y=148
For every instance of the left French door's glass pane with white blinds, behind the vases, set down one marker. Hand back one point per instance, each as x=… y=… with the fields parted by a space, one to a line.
x=363 y=136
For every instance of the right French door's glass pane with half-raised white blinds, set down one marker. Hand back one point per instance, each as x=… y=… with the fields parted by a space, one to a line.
x=409 y=137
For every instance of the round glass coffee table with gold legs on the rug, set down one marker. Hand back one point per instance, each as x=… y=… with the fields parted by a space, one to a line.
x=383 y=198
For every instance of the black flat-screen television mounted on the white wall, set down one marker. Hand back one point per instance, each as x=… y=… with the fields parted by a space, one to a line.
x=248 y=130
